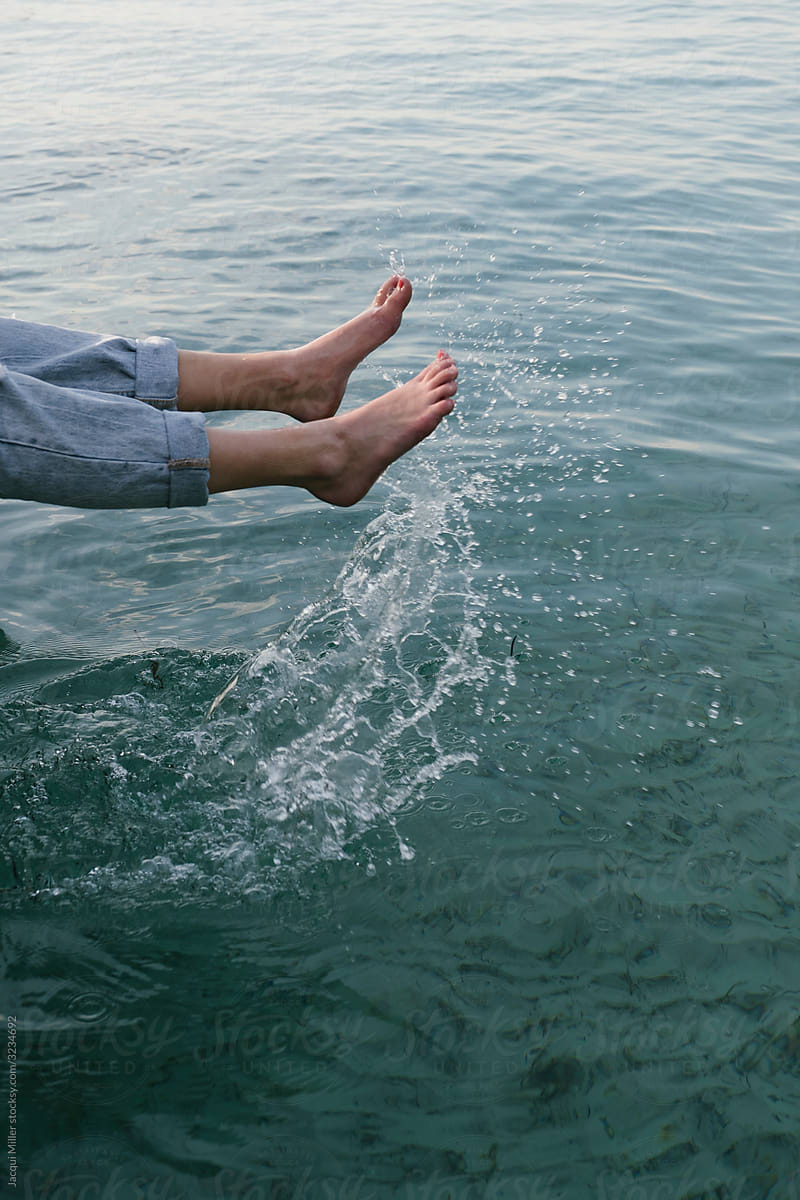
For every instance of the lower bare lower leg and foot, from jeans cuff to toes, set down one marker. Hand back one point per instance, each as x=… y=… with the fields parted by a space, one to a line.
x=338 y=459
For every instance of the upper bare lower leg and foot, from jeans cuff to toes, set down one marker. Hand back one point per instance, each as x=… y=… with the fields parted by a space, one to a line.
x=308 y=383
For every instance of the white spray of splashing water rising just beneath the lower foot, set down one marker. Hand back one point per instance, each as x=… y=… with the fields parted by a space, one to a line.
x=348 y=701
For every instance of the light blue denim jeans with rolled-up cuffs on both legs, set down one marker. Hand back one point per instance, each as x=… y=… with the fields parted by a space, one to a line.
x=93 y=422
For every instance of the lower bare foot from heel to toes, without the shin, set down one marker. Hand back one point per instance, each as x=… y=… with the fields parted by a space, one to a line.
x=370 y=439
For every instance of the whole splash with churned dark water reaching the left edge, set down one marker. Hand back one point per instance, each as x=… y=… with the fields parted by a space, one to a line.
x=329 y=733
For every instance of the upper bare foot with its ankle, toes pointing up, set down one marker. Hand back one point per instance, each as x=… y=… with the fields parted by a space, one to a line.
x=309 y=383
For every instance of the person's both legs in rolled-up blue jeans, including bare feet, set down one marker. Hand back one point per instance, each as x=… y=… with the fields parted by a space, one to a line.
x=73 y=431
